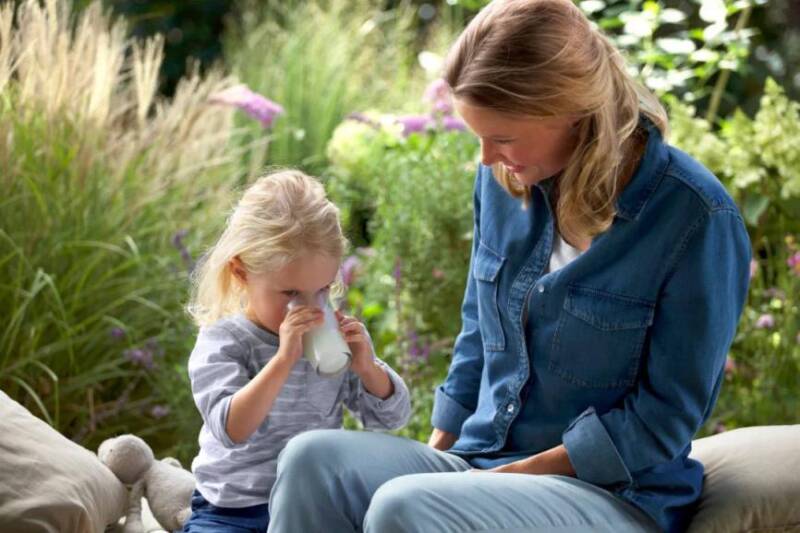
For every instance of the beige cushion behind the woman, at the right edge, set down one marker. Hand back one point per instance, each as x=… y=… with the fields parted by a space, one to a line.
x=752 y=480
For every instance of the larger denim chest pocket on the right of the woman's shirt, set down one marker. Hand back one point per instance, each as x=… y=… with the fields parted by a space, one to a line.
x=599 y=338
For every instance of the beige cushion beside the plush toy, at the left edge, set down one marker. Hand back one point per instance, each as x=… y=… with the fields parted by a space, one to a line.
x=48 y=483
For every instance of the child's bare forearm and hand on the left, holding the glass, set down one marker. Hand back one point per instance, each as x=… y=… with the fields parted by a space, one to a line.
x=252 y=403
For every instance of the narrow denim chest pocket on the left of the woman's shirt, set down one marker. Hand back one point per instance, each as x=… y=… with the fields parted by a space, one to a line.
x=486 y=270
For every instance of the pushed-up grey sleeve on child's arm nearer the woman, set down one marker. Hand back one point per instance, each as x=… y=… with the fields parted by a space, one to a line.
x=380 y=413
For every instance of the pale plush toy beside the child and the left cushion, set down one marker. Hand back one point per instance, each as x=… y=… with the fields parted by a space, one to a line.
x=167 y=487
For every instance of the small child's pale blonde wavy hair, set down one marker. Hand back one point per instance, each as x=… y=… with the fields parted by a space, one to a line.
x=280 y=217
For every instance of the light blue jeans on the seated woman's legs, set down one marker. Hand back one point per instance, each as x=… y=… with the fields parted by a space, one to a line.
x=337 y=481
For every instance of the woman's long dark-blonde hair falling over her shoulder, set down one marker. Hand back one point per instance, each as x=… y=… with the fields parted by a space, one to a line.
x=544 y=58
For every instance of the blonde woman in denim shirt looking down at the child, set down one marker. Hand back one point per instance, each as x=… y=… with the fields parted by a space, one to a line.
x=607 y=277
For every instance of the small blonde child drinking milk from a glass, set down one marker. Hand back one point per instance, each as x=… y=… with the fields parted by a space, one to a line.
x=250 y=382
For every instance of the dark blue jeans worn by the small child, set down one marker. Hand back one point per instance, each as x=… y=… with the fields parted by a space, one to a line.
x=208 y=518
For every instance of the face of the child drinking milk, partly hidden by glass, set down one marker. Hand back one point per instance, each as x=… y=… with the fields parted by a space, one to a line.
x=269 y=294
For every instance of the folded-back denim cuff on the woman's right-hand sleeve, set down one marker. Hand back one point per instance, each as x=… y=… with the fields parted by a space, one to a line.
x=592 y=453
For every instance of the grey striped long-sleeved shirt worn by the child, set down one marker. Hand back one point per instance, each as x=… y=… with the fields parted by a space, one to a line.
x=225 y=358
